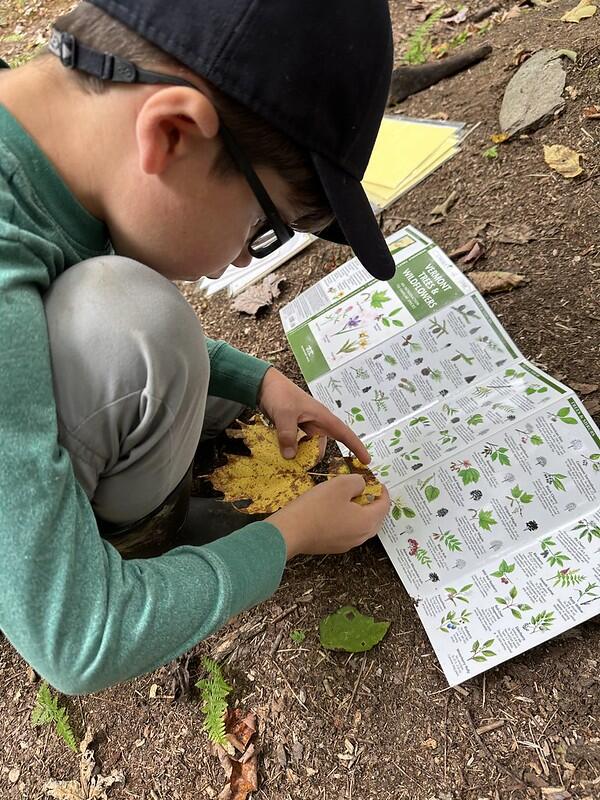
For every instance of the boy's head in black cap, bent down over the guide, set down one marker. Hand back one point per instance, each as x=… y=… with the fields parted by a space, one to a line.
x=302 y=102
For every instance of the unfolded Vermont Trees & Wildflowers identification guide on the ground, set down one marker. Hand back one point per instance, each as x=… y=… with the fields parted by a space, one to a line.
x=492 y=465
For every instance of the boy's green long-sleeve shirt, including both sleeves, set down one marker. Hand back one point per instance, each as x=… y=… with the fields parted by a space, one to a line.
x=80 y=615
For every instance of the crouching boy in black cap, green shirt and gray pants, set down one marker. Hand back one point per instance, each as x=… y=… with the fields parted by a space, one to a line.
x=182 y=137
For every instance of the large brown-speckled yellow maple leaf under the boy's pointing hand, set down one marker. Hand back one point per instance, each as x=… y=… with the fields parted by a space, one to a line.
x=265 y=477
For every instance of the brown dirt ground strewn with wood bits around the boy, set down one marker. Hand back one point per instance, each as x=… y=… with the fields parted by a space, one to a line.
x=384 y=724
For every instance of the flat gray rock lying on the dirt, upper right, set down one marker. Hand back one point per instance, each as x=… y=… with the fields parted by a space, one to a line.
x=534 y=94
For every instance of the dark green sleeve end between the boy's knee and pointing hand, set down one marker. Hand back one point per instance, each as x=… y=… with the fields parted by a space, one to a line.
x=234 y=375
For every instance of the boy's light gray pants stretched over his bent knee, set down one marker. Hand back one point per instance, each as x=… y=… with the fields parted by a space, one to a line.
x=131 y=373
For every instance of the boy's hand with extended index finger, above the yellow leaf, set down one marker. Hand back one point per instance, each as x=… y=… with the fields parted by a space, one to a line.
x=289 y=408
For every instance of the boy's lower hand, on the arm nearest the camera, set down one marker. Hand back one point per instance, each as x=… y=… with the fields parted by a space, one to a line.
x=325 y=520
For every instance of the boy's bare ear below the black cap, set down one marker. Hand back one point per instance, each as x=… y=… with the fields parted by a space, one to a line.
x=170 y=122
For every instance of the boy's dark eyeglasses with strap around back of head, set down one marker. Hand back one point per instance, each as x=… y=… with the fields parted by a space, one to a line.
x=274 y=232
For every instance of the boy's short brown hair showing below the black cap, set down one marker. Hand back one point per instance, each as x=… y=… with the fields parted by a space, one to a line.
x=263 y=144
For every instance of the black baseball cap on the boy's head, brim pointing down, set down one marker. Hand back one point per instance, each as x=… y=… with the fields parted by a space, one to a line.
x=318 y=70
